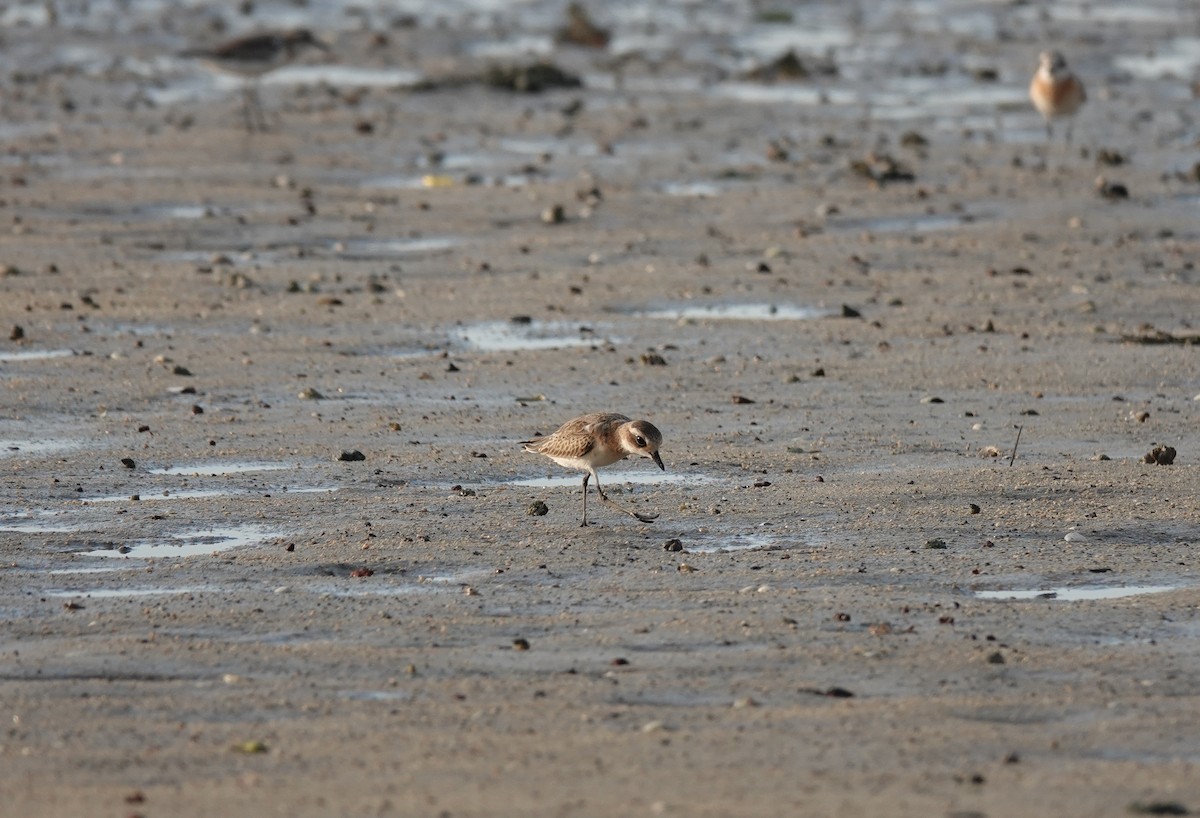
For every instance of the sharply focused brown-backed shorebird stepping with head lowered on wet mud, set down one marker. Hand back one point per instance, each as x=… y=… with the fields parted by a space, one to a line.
x=596 y=441
